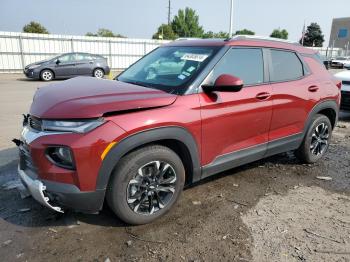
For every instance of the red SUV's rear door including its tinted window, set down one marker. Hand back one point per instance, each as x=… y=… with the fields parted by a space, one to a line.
x=294 y=93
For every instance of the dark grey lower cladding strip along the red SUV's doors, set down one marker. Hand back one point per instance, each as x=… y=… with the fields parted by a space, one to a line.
x=251 y=154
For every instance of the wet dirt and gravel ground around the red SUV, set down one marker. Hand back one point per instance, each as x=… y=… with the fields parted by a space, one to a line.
x=271 y=210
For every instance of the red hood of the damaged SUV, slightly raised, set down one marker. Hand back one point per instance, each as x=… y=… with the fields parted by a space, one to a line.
x=88 y=97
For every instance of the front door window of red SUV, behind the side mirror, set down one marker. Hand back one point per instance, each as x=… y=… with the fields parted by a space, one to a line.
x=245 y=63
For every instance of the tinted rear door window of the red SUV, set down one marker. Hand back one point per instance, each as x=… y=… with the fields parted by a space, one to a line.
x=285 y=66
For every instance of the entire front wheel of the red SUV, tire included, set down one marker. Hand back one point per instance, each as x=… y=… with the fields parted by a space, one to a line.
x=122 y=185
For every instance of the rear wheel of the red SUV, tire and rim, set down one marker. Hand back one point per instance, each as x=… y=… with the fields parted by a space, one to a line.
x=315 y=145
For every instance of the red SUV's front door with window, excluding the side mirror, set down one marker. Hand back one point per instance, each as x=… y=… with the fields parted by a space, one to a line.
x=235 y=125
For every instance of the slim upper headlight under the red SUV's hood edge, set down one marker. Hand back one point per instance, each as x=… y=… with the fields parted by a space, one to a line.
x=78 y=126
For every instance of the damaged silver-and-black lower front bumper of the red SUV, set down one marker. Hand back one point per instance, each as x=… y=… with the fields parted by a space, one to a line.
x=59 y=196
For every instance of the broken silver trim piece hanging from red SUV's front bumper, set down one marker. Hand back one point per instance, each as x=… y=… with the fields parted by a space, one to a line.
x=37 y=189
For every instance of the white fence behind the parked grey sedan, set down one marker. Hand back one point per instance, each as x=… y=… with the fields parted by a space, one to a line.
x=20 y=49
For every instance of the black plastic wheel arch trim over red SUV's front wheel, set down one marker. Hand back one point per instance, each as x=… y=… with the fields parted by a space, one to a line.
x=176 y=138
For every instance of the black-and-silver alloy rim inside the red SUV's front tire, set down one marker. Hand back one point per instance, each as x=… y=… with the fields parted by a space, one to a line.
x=152 y=188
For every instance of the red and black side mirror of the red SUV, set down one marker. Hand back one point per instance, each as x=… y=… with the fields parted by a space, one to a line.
x=225 y=83
